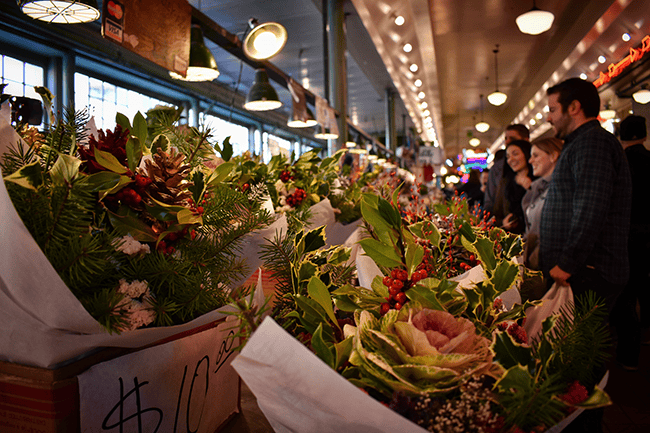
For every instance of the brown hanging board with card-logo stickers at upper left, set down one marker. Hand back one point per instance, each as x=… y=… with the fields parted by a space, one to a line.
x=162 y=37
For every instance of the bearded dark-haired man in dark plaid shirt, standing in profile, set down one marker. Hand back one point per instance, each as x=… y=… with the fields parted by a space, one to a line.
x=586 y=216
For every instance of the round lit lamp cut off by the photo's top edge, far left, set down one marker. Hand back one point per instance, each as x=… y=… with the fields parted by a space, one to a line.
x=61 y=11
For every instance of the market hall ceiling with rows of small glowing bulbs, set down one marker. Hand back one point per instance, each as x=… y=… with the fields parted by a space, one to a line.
x=453 y=43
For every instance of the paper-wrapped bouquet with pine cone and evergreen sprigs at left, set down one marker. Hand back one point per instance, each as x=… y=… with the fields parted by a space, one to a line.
x=121 y=229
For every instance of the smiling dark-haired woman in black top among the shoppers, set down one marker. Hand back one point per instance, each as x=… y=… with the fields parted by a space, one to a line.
x=517 y=178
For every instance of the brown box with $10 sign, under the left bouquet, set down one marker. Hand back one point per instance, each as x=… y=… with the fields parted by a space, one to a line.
x=181 y=383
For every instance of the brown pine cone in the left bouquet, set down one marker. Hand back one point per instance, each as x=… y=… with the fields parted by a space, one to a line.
x=168 y=175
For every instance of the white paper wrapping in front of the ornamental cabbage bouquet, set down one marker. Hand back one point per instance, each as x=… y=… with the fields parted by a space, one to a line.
x=297 y=392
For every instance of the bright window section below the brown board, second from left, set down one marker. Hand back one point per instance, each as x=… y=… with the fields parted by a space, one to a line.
x=104 y=100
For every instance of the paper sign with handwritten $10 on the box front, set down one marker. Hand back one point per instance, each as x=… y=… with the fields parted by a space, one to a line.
x=185 y=386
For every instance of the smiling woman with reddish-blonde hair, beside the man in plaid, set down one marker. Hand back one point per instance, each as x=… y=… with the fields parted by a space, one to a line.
x=543 y=156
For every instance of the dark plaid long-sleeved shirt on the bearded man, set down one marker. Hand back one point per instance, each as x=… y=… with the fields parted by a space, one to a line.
x=586 y=216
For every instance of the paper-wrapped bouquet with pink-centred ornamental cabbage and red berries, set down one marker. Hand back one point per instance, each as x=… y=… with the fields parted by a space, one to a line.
x=442 y=353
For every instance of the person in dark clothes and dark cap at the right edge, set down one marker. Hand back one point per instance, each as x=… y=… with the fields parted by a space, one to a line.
x=625 y=319
